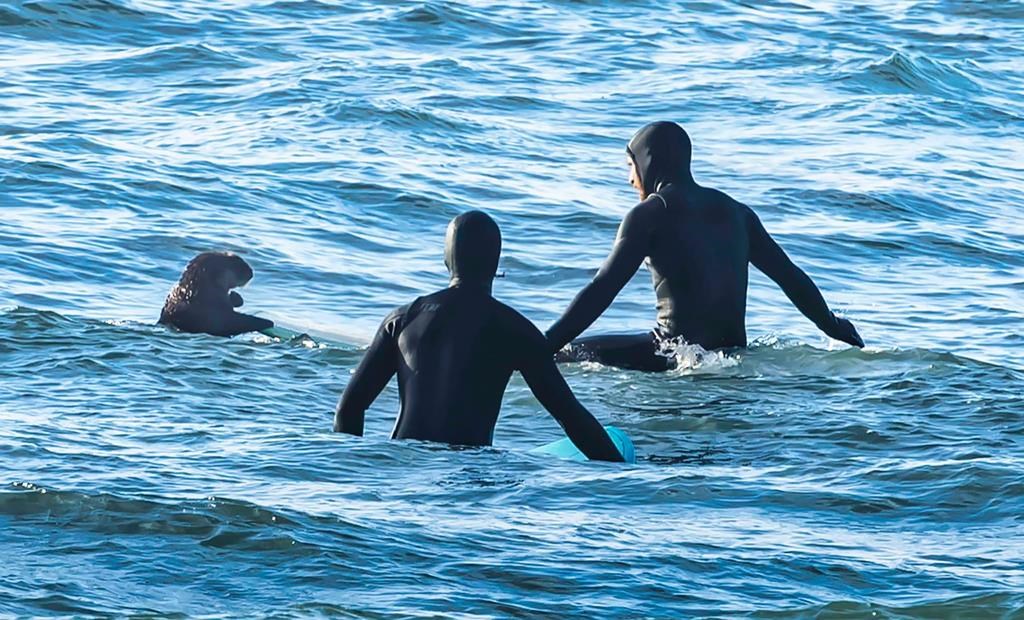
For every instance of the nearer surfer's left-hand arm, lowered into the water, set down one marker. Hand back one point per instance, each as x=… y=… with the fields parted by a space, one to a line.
x=376 y=369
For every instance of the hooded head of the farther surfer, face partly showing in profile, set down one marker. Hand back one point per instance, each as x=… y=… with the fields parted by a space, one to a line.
x=661 y=154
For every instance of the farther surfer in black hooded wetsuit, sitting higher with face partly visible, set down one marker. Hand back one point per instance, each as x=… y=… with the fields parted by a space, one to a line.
x=698 y=242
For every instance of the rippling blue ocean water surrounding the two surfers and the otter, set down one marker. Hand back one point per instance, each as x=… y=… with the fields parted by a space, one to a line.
x=149 y=473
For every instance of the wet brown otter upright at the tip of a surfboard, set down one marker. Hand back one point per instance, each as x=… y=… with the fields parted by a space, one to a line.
x=203 y=302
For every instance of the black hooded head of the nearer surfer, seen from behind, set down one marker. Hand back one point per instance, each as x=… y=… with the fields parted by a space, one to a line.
x=473 y=246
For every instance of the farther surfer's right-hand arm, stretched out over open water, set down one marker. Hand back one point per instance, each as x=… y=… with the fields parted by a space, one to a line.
x=770 y=258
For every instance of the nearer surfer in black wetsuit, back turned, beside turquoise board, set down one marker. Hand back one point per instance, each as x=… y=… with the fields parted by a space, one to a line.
x=455 y=351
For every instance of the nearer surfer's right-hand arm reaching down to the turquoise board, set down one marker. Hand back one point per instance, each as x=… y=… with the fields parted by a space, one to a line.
x=549 y=387
